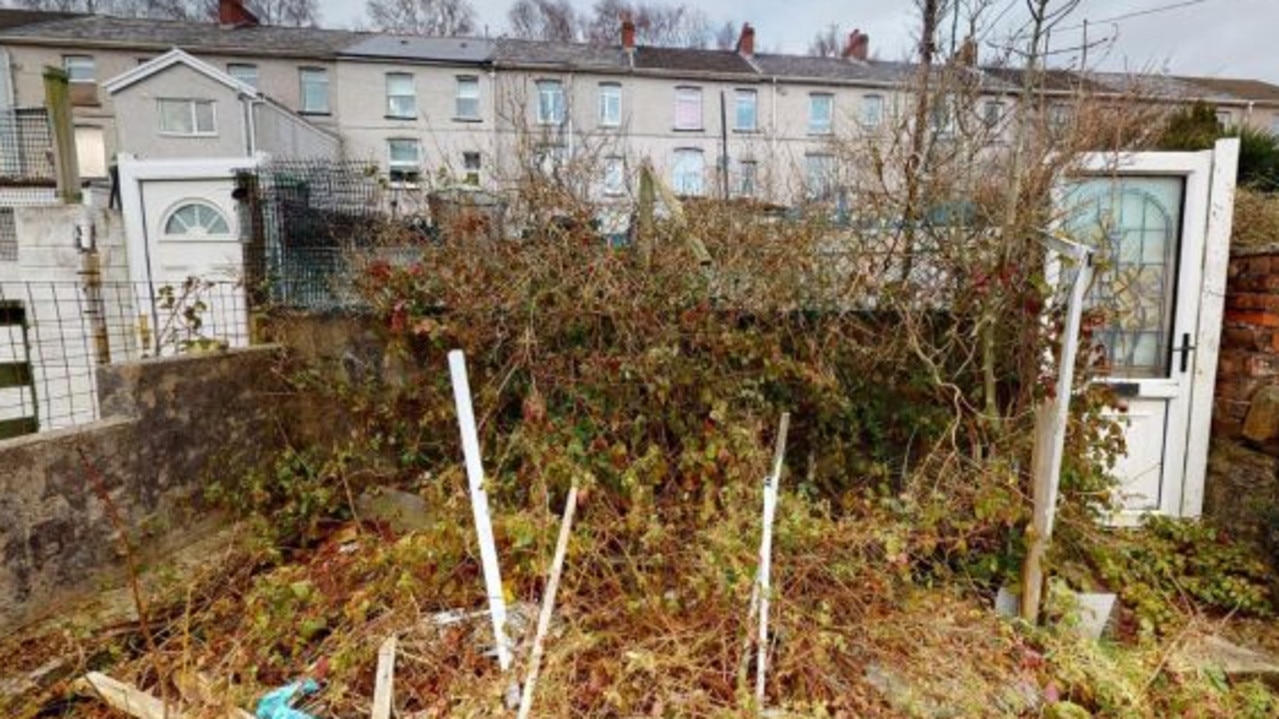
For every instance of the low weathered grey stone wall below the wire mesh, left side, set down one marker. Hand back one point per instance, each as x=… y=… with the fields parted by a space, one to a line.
x=171 y=425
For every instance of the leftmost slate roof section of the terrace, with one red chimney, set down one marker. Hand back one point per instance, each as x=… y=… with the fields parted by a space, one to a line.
x=205 y=38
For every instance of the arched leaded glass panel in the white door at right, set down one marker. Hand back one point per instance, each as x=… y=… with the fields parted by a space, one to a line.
x=1136 y=226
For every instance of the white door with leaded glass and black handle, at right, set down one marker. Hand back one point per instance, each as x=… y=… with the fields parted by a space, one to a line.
x=1148 y=225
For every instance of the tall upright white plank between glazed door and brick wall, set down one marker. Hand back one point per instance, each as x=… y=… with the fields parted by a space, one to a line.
x=1217 y=259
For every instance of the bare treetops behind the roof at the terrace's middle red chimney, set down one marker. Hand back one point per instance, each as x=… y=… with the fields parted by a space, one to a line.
x=657 y=24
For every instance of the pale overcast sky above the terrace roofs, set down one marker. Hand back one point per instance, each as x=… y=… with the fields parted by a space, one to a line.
x=1211 y=38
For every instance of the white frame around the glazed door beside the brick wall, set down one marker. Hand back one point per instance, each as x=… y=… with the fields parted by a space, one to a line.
x=1209 y=210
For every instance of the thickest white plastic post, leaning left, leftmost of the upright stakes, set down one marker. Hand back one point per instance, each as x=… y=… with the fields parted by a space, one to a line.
x=480 y=506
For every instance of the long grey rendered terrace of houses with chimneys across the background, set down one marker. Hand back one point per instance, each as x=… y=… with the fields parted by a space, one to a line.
x=474 y=111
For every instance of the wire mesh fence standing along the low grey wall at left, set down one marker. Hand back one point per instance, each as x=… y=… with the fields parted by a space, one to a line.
x=56 y=335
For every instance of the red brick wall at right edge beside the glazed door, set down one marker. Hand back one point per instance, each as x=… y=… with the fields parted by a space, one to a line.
x=1250 y=337
